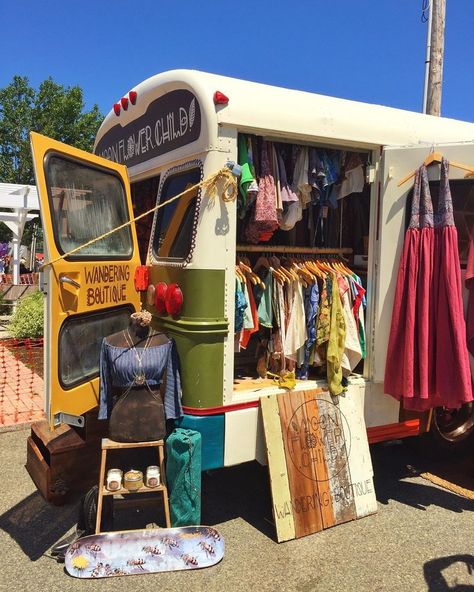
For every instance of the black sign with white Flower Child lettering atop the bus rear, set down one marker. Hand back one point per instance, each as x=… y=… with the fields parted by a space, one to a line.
x=170 y=122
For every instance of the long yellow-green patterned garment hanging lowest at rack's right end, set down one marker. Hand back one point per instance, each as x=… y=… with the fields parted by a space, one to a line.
x=337 y=339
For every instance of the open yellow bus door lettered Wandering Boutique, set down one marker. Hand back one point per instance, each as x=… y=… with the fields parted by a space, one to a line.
x=90 y=293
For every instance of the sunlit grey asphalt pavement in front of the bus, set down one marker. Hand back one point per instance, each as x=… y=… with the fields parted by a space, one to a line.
x=420 y=539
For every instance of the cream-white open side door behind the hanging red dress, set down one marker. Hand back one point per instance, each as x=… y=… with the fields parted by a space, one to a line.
x=397 y=163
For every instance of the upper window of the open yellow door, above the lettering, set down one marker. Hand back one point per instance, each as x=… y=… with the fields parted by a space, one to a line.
x=87 y=202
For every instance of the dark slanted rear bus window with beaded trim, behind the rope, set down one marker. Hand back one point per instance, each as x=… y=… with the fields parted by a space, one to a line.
x=173 y=231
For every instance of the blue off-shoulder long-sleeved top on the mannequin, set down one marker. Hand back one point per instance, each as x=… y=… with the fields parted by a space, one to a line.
x=118 y=368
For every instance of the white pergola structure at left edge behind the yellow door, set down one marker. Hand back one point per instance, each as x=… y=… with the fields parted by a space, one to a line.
x=19 y=200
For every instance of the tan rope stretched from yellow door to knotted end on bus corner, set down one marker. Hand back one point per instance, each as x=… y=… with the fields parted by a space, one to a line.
x=222 y=182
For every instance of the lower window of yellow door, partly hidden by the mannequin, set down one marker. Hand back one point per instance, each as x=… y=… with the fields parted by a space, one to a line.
x=80 y=340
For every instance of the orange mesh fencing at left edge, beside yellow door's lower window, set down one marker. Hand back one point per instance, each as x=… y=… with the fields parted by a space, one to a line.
x=21 y=381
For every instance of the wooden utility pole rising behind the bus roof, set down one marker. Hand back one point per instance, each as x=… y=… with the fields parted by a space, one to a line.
x=434 y=58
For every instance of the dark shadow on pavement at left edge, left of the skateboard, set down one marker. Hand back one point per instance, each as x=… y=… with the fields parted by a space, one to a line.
x=36 y=525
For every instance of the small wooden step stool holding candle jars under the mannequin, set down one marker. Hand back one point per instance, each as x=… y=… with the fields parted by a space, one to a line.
x=107 y=445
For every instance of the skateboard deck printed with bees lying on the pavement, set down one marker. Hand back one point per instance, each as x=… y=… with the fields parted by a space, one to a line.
x=153 y=550
